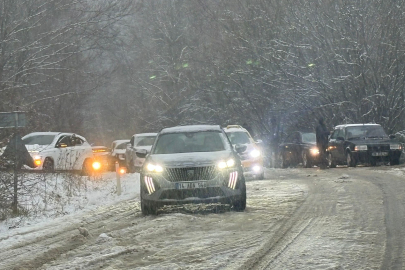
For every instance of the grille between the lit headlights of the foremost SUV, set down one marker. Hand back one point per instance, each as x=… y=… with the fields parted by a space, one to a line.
x=190 y=173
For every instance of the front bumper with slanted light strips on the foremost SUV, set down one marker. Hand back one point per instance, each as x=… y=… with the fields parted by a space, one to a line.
x=164 y=192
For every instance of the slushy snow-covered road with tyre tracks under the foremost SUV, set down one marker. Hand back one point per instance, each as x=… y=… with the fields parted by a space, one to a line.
x=343 y=218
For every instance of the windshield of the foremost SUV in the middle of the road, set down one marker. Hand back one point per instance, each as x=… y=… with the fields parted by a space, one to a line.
x=187 y=142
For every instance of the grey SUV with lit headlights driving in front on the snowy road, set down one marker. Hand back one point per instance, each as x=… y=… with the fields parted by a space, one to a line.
x=192 y=164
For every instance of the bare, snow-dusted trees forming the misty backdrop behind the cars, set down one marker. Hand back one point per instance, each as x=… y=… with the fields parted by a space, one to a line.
x=114 y=68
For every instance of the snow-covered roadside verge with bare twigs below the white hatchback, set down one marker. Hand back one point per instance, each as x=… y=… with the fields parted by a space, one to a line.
x=53 y=196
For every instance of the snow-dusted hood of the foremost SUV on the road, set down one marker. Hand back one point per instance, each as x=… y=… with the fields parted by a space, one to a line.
x=197 y=159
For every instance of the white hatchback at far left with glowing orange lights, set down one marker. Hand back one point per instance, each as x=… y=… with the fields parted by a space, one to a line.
x=59 y=151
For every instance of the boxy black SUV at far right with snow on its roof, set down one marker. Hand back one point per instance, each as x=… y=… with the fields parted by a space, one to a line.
x=362 y=143
